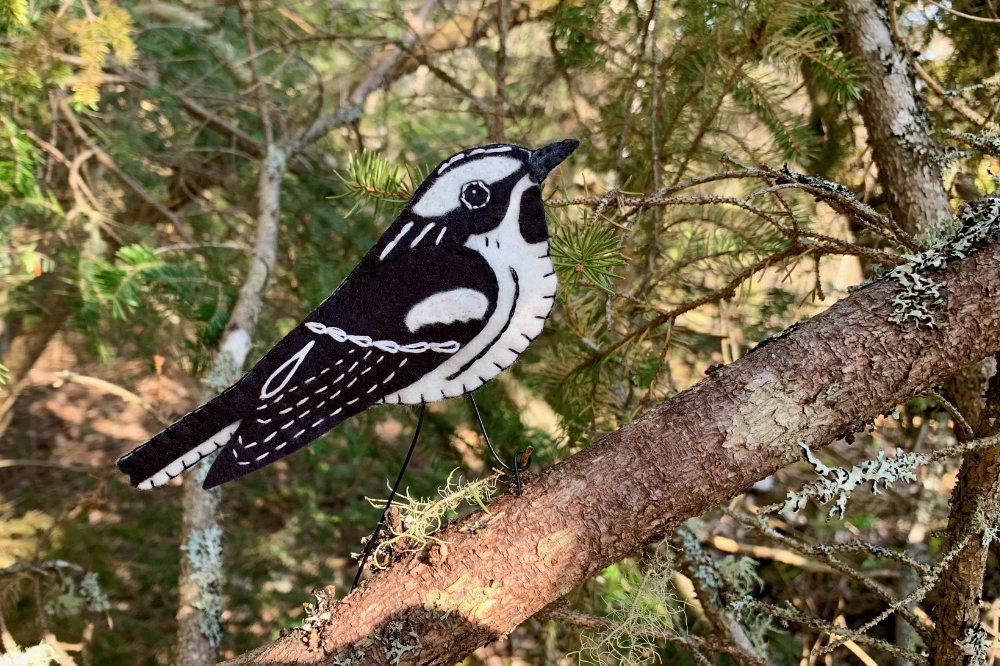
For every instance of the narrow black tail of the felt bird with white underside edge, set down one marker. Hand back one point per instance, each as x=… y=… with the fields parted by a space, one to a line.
x=181 y=445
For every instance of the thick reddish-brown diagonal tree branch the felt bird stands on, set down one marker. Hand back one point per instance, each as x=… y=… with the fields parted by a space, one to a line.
x=819 y=381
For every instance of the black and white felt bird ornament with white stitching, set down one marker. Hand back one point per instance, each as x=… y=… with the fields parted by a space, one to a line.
x=453 y=292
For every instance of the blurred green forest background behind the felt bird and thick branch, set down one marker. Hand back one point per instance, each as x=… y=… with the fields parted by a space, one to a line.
x=158 y=157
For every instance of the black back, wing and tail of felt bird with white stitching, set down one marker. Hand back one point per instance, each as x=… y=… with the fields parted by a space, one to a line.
x=348 y=354
